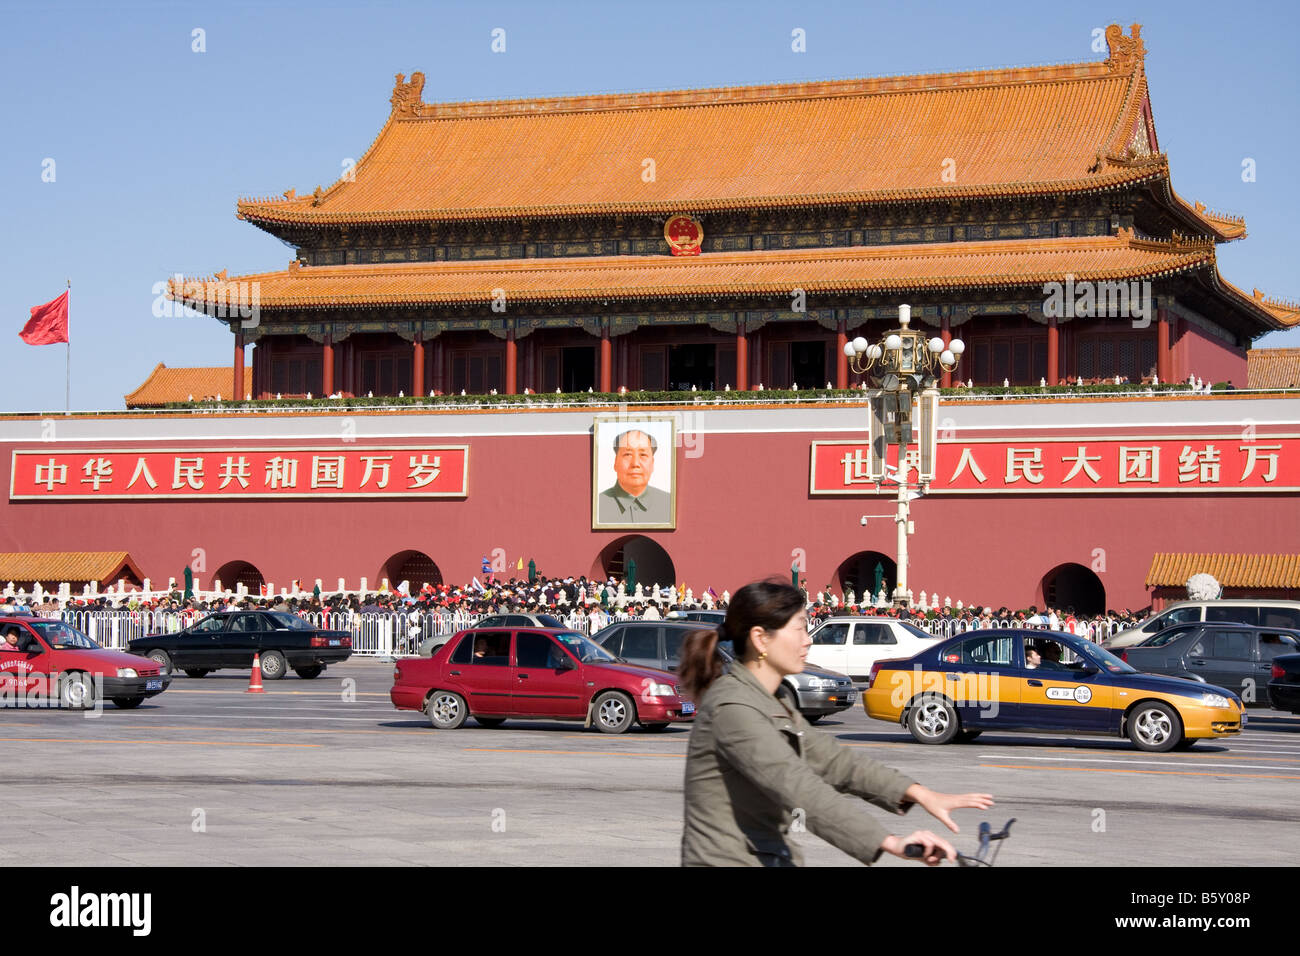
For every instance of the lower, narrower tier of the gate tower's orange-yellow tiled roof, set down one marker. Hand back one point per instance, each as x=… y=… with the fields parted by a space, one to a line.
x=773 y=272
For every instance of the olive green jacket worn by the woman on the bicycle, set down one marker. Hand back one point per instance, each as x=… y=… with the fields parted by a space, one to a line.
x=753 y=760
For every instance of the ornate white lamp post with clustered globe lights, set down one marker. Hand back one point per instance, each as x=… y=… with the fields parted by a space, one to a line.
x=905 y=365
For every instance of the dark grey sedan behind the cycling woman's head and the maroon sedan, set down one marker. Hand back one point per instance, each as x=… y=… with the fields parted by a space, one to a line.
x=816 y=693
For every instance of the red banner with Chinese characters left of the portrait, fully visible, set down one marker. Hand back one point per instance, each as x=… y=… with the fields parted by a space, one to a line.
x=302 y=473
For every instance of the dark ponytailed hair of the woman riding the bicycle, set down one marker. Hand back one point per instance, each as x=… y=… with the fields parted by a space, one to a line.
x=768 y=604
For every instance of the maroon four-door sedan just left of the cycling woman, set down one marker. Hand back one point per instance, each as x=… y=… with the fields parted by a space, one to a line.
x=536 y=674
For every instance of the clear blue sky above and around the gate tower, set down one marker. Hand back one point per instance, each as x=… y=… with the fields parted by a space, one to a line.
x=154 y=144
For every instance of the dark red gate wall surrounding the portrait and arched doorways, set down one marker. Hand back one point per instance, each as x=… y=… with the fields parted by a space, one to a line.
x=743 y=509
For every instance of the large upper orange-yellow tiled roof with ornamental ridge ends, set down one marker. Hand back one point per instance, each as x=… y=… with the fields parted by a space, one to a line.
x=986 y=133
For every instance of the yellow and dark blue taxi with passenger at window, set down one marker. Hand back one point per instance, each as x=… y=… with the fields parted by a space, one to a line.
x=1047 y=682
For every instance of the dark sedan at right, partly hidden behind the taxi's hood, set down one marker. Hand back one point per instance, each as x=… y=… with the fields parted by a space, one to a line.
x=1234 y=656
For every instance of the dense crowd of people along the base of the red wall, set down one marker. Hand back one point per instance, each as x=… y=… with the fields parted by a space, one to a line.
x=593 y=604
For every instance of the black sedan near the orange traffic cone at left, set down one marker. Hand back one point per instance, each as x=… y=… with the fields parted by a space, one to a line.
x=231 y=639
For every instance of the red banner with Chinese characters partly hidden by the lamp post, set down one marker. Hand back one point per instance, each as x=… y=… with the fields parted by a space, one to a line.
x=1115 y=466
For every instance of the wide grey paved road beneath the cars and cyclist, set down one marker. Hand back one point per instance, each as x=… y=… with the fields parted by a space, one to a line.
x=326 y=772
